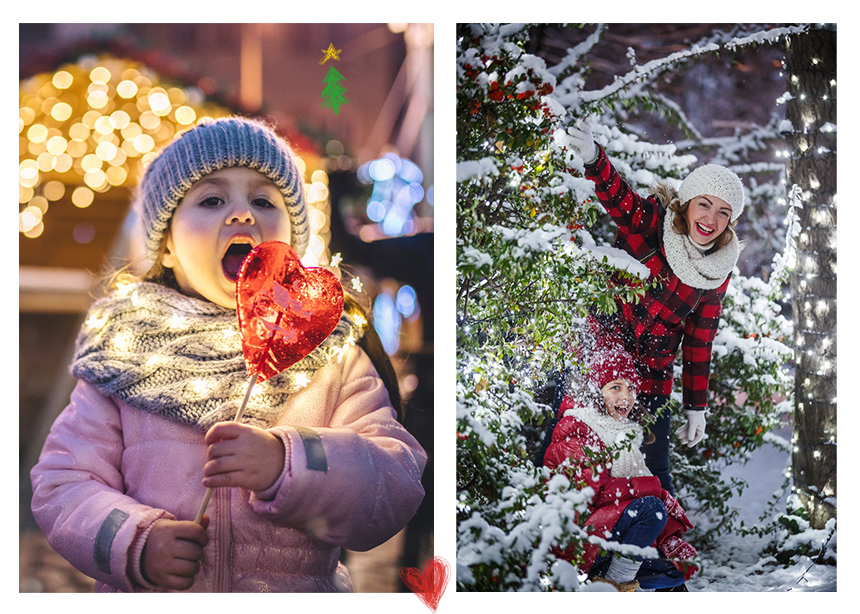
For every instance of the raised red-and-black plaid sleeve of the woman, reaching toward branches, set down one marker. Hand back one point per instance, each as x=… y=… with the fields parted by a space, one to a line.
x=634 y=215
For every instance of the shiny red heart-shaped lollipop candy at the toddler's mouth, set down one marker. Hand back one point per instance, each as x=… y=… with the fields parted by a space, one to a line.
x=285 y=310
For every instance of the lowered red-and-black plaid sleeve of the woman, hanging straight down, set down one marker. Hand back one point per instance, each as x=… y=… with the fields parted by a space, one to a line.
x=700 y=329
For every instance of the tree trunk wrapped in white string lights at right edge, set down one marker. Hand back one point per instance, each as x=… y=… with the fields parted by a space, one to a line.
x=811 y=109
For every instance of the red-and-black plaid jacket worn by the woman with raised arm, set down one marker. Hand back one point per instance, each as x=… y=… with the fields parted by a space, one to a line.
x=670 y=315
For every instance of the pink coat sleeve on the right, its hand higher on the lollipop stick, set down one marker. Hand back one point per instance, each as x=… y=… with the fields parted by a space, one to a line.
x=356 y=482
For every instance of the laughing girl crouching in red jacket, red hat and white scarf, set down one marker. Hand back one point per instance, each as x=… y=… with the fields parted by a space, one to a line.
x=596 y=443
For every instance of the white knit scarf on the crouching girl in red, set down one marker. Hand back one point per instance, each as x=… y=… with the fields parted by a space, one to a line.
x=615 y=435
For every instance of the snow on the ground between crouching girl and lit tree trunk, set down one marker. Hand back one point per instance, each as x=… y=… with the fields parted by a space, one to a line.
x=736 y=565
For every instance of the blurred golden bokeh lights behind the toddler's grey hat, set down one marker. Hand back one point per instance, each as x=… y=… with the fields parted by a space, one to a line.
x=93 y=125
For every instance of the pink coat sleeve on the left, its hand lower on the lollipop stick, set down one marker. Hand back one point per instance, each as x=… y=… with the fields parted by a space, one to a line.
x=78 y=494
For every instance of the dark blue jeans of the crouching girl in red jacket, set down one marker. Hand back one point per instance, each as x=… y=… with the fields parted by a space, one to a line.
x=640 y=524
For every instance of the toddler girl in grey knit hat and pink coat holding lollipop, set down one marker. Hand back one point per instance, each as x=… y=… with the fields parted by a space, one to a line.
x=319 y=461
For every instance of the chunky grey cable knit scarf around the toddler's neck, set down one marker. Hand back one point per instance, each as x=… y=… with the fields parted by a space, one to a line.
x=180 y=357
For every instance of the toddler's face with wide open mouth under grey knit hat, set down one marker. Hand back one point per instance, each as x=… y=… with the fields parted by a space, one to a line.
x=216 y=224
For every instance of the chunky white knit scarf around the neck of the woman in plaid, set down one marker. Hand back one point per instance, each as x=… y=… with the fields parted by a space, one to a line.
x=691 y=265
